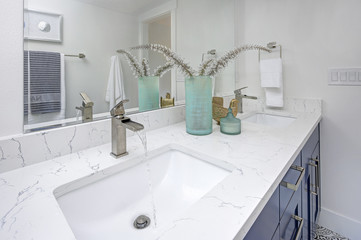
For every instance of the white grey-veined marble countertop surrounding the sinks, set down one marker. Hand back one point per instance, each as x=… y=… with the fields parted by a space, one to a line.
x=261 y=156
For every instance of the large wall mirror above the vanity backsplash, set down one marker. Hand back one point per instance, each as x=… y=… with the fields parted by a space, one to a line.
x=71 y=62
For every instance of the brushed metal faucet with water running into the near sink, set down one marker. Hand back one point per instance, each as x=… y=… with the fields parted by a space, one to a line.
x=119 y=125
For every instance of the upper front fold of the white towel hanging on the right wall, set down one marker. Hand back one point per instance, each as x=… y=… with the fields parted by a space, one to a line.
x=271 y=72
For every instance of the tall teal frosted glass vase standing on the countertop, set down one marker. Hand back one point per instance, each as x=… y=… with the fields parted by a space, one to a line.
x=198 y=105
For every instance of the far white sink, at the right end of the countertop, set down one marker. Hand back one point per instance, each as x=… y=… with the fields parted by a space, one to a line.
x=270 y=120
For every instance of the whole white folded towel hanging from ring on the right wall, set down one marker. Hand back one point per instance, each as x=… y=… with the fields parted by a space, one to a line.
x=272 y=82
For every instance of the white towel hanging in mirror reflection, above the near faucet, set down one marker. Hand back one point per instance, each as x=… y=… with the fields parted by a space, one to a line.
x=115 y=90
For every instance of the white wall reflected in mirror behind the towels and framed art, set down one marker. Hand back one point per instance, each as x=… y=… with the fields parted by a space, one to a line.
x=98 y=33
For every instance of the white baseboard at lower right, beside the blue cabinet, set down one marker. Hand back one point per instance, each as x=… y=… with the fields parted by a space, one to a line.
x=343 y=225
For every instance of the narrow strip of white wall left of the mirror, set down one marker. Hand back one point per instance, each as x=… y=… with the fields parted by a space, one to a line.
x=11 y=72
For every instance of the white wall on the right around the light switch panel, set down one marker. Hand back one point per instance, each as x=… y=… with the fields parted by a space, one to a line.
x=316 y=35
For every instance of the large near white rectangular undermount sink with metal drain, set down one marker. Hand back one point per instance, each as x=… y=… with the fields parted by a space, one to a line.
x=161 y=187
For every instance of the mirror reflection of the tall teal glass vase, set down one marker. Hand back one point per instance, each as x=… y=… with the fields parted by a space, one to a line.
x=148 y=93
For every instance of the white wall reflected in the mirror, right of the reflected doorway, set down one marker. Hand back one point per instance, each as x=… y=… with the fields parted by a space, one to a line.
x=214 y=29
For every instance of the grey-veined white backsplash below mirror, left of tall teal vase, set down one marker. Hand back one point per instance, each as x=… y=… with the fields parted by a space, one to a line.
x=28 y=149
